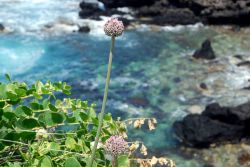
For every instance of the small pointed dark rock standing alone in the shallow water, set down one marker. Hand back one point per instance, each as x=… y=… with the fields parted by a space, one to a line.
x=205 y=52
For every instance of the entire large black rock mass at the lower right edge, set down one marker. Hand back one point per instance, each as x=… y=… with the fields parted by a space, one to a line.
x=216 y=124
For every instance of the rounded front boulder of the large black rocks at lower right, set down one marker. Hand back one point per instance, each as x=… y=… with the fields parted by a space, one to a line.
x=201 y=131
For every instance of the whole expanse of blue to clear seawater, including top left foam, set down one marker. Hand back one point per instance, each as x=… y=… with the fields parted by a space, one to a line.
x=153 y=73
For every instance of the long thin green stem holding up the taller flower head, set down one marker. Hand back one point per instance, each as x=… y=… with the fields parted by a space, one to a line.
x=91 y=160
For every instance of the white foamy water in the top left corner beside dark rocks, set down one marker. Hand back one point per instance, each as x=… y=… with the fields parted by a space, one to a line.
x=32 y=15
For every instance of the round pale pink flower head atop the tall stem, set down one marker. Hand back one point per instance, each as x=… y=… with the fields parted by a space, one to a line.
x=113 y=27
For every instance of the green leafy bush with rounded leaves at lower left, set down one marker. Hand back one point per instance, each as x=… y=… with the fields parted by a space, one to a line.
x=41 y=126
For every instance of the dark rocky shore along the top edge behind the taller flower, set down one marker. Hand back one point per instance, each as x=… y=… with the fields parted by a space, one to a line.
x=172 y=12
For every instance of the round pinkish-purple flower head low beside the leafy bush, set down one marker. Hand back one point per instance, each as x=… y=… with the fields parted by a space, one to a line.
x=116 y=145
